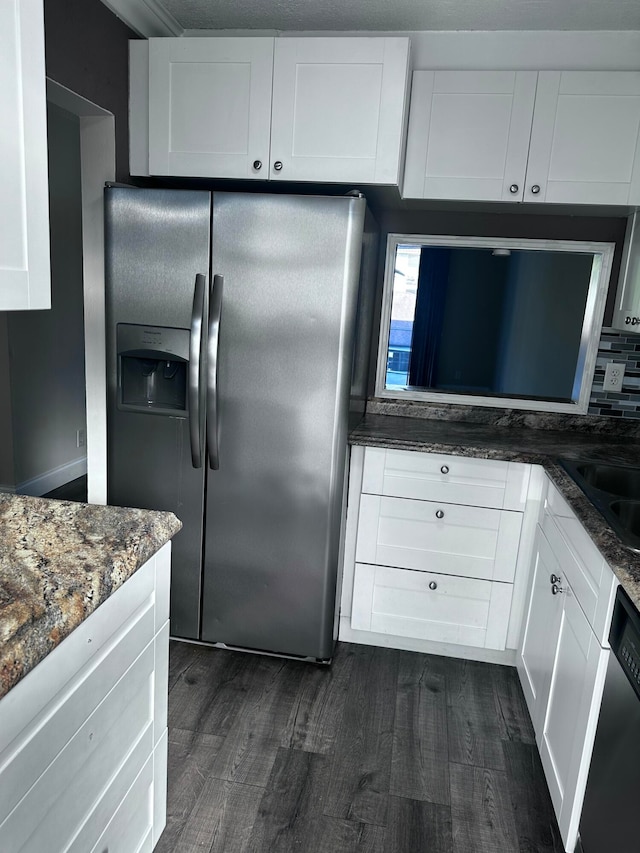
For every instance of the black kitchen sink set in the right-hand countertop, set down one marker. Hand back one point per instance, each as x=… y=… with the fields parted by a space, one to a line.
x=614 y=490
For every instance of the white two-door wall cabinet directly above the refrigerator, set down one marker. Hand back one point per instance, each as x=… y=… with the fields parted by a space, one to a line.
x=294 y=109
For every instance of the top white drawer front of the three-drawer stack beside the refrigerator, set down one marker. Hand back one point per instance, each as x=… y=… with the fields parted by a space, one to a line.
x=452 y=479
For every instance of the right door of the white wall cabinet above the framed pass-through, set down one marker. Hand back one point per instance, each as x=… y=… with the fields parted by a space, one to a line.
x=585 y=143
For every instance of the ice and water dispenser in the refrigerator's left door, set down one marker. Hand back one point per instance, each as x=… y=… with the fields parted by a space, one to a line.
x=152 y=369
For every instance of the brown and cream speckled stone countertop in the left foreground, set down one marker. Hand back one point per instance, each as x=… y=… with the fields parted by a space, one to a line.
x=58 y=562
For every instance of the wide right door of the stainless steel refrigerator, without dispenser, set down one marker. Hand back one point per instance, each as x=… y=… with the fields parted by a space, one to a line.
x=286 y=332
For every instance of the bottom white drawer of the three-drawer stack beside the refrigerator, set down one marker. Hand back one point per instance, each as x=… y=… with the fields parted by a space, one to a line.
x=456 y=610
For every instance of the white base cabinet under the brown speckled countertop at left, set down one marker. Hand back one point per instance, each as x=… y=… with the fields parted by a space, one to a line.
x=83 y=737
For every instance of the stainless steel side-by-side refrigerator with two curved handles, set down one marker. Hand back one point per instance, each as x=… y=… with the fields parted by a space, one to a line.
x=237 y=341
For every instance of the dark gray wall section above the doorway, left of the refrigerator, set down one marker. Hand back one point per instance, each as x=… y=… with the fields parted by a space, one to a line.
x=87 y=50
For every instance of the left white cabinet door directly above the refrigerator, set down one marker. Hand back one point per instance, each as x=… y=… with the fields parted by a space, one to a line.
x=210 y=106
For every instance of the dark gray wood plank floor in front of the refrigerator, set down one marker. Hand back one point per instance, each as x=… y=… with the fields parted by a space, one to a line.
x=383 y=752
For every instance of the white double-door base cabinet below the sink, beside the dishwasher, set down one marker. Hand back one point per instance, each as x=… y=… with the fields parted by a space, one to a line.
x=562 y=660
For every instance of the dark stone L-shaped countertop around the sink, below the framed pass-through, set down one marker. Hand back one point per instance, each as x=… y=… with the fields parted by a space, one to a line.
x=518 y=443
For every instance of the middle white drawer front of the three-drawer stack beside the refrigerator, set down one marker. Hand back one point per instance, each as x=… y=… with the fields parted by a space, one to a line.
x=468 y=541
